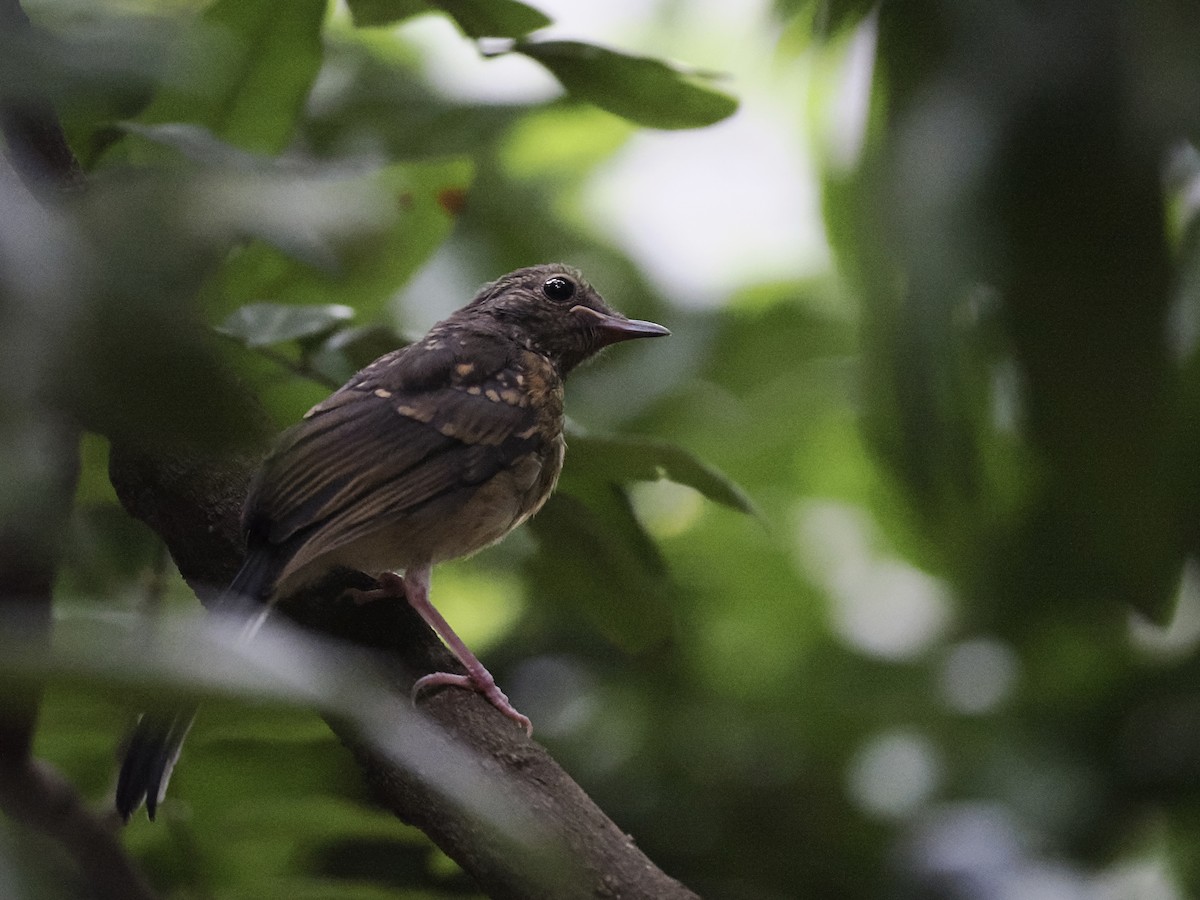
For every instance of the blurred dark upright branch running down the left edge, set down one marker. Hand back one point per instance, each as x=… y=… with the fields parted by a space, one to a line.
x=40 y=449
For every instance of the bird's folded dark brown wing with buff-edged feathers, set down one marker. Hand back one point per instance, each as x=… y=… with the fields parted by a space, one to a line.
x=368 y=455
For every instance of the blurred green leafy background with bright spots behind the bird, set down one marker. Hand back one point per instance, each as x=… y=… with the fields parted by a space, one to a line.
x=875 y=580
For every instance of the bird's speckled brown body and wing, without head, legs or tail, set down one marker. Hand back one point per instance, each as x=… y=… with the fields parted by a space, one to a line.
x=395 y=475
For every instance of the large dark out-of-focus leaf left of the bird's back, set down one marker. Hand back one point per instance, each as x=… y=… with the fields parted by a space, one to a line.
x=141 y=368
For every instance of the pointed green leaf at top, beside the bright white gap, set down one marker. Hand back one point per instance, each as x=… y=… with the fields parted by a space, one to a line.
x=641 y=89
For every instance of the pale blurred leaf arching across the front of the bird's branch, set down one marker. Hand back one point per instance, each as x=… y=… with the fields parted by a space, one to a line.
x=194 y=658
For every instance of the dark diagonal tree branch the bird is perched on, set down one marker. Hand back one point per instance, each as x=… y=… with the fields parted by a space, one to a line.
x=194 y=506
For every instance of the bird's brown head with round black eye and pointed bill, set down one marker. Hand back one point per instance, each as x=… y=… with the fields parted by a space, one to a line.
x=554 y=311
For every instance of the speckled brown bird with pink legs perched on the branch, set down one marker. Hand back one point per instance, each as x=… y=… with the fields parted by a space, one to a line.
x=430 y=453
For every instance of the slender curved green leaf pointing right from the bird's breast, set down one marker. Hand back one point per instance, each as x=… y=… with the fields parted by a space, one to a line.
x=625 y=459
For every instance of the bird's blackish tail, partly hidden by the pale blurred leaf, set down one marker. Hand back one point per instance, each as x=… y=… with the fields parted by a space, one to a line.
x=158 y=740
